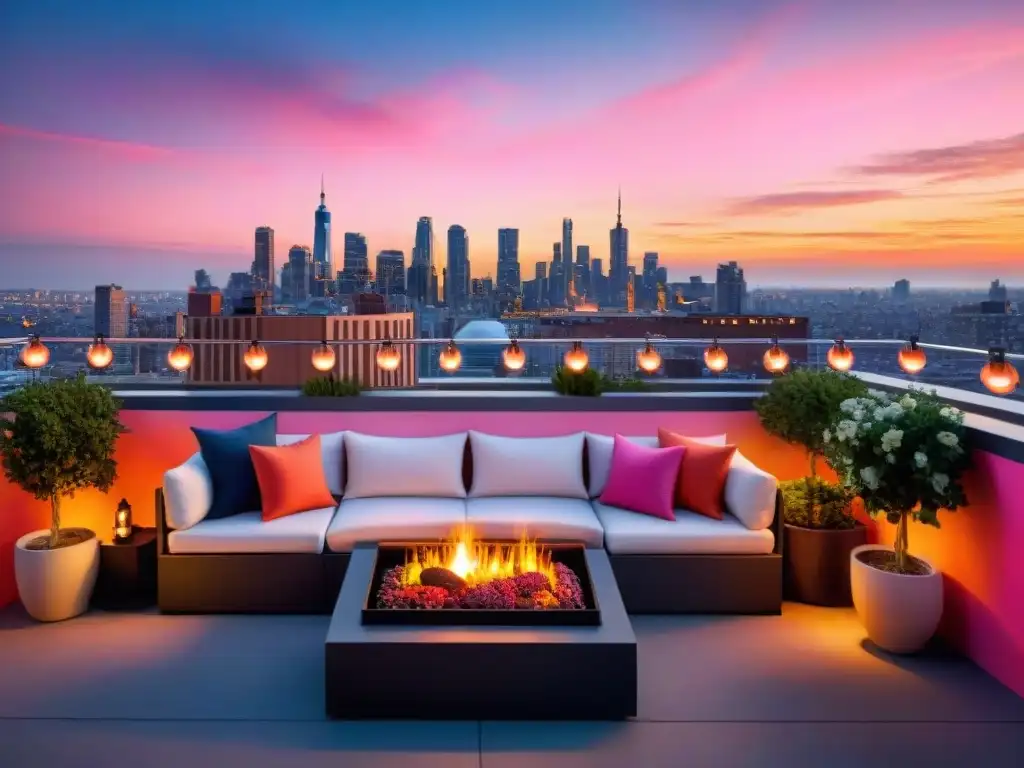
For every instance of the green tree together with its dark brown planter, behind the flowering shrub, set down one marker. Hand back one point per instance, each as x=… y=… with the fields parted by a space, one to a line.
x=820 y=532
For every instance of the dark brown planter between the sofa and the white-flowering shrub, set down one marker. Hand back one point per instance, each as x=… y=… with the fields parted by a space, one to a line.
x=817 y=564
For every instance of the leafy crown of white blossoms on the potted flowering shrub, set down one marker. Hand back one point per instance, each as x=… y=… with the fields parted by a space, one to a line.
x=902 y=455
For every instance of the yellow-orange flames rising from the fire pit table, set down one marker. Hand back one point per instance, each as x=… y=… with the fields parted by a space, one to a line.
x=480 y=563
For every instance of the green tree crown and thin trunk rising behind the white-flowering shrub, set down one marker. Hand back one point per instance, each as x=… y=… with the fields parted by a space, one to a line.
x=799 y=408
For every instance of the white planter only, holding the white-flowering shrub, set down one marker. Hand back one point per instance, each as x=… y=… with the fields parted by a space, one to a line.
x=900 y=613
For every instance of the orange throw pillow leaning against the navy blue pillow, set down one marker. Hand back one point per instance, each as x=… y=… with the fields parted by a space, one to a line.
x=291 y=479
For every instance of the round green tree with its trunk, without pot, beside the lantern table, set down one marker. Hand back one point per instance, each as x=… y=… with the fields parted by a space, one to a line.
x=58 y=438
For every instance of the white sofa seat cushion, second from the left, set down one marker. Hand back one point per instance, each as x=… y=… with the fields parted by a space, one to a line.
x=395 y=520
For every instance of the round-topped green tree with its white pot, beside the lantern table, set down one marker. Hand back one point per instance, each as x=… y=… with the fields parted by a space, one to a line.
x=56 y=439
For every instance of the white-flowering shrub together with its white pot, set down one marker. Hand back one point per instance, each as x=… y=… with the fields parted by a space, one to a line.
x=905 y=458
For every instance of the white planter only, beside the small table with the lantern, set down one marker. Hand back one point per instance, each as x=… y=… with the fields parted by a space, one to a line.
x=56 y=584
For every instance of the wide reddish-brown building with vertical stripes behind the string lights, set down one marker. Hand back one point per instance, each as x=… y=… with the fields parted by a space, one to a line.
x=290 y=365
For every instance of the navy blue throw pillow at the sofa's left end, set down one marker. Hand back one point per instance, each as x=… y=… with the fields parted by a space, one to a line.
x=227 y=455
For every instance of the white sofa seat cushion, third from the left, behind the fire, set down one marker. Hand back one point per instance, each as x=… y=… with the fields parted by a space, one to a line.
x=547 y=519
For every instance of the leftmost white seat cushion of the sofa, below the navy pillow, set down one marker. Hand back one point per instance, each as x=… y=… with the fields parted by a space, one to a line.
x=248 y=534
